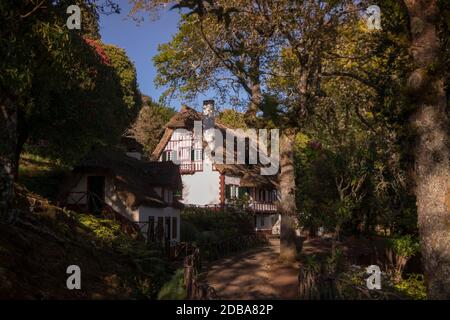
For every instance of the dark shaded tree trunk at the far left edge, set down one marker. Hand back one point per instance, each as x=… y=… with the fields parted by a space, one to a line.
x=8 y=138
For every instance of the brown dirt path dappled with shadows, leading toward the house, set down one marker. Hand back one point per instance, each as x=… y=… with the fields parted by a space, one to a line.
x=254 y=274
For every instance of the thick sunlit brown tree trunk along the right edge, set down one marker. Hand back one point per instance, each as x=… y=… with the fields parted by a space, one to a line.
x=430 y=124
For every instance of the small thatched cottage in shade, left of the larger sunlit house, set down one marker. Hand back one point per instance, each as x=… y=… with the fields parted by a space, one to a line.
x=142 y=191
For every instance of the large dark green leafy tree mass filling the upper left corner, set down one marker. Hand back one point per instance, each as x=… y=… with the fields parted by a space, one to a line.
x=82 y=99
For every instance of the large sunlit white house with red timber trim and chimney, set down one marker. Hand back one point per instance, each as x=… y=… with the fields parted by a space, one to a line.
x=209 y=184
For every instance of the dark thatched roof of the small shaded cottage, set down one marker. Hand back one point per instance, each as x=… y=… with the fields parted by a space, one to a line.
x=133 y=178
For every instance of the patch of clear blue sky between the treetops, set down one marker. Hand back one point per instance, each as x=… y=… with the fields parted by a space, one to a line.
x=140 y=42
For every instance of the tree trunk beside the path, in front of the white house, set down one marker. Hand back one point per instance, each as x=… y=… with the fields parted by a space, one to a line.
x=288 y=250
